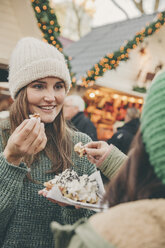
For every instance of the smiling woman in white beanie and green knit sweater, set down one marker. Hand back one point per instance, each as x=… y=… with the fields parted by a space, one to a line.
x=32 y=152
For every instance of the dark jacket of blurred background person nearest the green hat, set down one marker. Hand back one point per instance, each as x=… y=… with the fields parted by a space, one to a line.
x=123 y=137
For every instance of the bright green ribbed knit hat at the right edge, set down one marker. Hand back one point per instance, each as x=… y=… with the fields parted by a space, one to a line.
x=153 y=125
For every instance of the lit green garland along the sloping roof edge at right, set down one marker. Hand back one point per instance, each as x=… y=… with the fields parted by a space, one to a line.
x=112 y=60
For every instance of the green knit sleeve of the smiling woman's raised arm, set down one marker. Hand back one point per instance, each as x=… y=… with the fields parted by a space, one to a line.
x=11 y=182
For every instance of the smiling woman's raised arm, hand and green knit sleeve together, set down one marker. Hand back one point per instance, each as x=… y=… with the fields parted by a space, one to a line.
x=22 y=142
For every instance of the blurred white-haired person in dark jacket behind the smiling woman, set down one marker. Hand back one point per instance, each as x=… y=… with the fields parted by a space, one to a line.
x=74 y=107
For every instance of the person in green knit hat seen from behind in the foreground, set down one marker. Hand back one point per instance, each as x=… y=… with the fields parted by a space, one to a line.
x=136 y=194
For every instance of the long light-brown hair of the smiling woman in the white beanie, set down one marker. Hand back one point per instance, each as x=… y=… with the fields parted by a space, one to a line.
x=59 y=144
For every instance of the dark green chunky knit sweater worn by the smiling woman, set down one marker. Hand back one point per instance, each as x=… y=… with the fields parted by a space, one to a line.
x=25 y=216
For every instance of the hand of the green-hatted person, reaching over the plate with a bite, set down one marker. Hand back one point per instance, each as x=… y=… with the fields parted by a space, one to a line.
x=96 y=151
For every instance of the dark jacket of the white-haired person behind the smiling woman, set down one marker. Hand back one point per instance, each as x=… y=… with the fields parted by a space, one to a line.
x=84 y=125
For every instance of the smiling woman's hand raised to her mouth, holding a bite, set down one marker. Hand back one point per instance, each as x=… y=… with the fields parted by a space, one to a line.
x=28 y=138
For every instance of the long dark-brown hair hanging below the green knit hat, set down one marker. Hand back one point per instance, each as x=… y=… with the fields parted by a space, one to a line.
x=136 y=179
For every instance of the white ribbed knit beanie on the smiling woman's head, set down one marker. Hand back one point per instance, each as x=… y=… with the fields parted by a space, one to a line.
x=33 y=59
